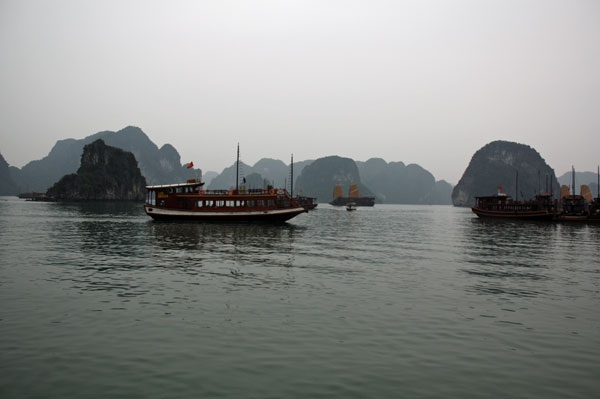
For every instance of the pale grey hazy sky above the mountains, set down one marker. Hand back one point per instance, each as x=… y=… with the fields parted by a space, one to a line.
x=426 y=82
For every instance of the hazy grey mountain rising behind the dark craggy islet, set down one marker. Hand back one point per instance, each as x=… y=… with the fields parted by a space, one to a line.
x=159 y=166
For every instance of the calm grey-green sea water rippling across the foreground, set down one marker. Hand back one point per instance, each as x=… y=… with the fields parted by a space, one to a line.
x=395 y=301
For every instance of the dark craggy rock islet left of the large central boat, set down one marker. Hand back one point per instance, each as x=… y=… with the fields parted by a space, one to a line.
x=106 y=173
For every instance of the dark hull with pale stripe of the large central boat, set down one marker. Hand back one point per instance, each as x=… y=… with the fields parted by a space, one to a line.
x=270 y=216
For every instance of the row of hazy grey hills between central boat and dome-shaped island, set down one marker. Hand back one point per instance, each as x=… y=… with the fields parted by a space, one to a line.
x=389 y=183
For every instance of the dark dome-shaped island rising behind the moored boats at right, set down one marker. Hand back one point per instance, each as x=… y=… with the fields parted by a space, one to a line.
x=496 y=164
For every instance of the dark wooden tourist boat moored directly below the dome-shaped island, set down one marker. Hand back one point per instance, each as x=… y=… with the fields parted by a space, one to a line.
x=502 y=206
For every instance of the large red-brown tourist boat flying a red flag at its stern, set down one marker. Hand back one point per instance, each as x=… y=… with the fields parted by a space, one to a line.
x=188 y=201
